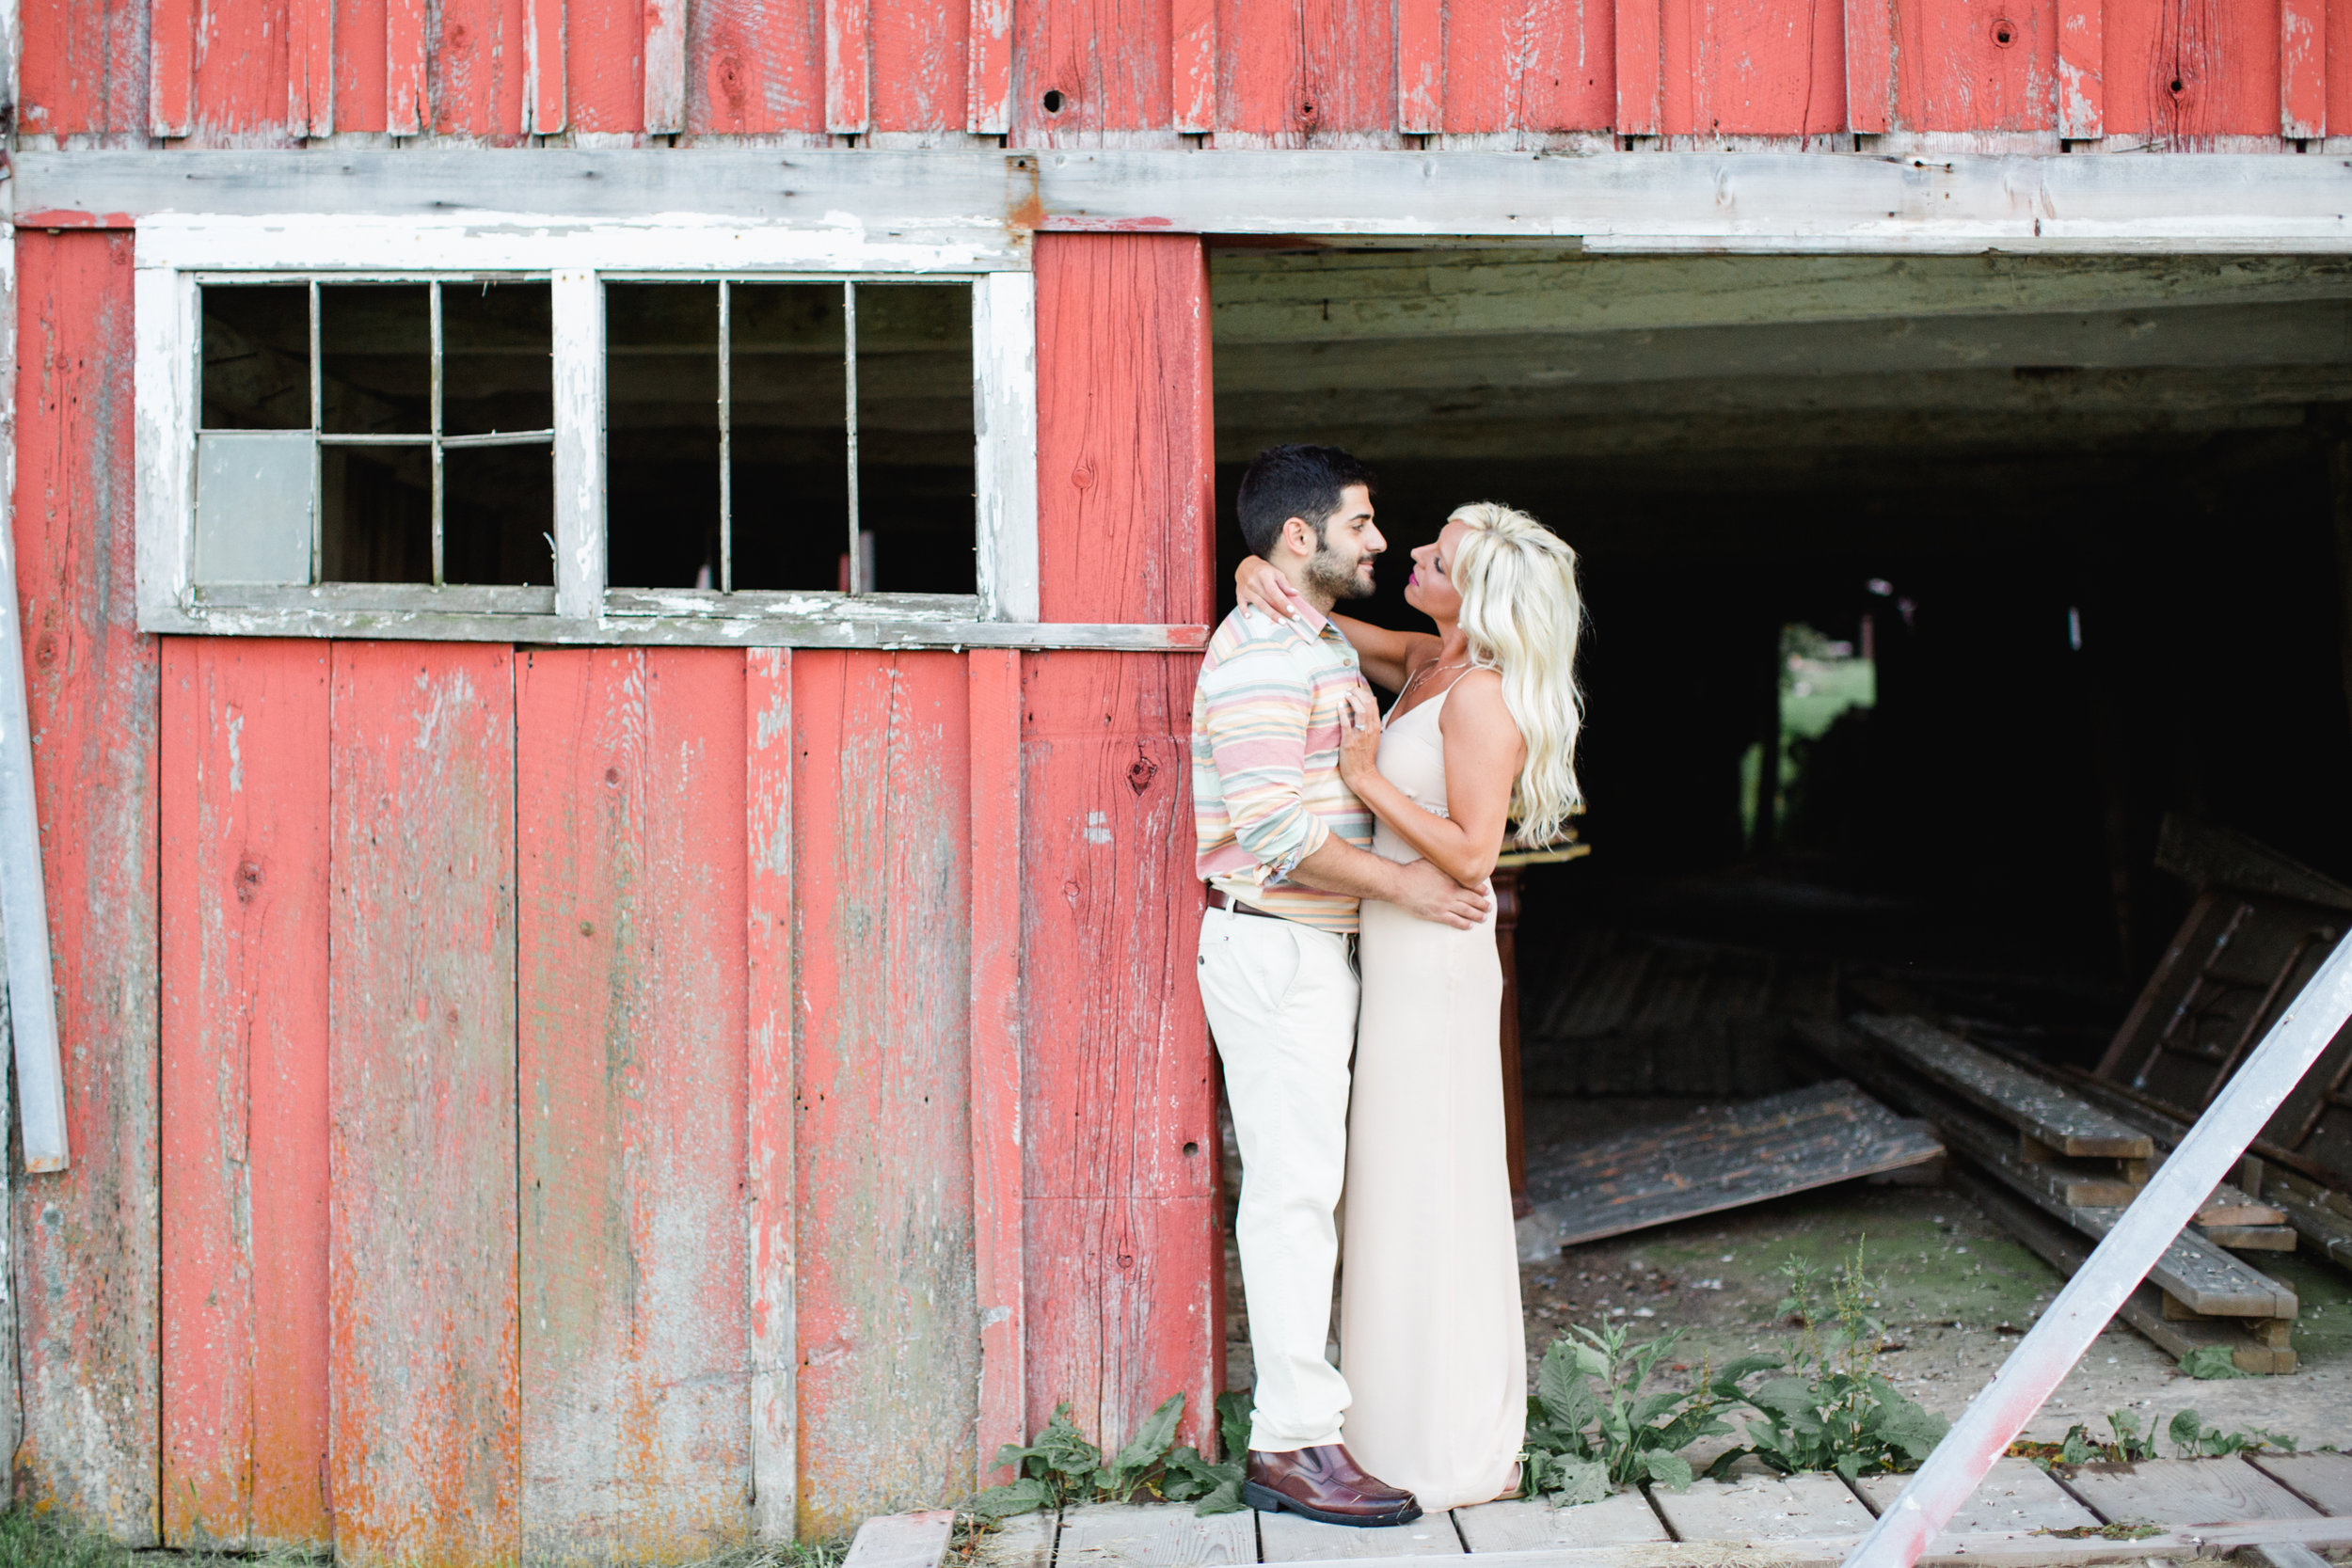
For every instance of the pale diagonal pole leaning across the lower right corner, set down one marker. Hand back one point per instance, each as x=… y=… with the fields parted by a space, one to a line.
x=2113 y=1273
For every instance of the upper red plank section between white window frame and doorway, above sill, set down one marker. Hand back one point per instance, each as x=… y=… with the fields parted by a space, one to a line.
x=1125 y=467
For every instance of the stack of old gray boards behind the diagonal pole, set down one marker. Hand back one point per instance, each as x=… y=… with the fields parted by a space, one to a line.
x=2059 y=1172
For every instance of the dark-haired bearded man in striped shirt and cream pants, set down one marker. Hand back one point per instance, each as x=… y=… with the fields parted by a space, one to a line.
x=1285 y=852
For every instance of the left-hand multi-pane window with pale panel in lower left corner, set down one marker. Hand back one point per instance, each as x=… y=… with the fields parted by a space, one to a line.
x=375 y=434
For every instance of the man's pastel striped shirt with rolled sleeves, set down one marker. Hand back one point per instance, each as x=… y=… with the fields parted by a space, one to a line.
x=1267 y=791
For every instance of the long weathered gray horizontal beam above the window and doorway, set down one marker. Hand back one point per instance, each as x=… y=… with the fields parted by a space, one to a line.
x=1608 y=201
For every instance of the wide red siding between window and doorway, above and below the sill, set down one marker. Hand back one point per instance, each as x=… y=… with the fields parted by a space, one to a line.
x=1121 y=1115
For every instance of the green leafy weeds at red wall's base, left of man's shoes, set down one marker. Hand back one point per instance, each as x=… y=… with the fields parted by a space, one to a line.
x=1062 y=1468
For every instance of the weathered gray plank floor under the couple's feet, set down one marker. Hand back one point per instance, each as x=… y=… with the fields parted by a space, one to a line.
x=2019 y=1517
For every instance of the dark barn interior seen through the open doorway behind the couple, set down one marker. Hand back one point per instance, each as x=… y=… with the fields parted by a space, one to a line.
x=1920 y=594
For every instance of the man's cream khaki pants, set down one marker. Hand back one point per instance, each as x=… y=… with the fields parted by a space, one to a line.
x=1281 y=1005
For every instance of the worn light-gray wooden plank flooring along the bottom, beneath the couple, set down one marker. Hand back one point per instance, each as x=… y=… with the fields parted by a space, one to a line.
x=2014 y=1501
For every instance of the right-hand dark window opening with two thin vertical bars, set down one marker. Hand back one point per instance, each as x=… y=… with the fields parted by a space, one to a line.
x=789 y=436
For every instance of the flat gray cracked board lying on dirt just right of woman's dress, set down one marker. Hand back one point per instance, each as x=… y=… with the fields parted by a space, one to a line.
x=1725 y=1160
